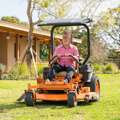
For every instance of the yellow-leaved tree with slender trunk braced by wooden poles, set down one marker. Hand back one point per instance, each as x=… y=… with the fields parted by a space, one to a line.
x=45 y=10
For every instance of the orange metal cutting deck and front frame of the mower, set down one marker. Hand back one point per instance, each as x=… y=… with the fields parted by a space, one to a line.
x=43 y=91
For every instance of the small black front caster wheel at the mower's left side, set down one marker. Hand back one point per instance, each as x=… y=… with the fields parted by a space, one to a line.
x=29 y=99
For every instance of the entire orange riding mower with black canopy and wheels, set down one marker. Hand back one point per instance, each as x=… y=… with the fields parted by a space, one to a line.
x=84 y=85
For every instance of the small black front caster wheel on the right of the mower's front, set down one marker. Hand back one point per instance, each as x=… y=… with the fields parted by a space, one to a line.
x=72 y=102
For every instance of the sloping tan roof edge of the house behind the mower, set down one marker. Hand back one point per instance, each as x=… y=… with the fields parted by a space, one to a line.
x=20 y=29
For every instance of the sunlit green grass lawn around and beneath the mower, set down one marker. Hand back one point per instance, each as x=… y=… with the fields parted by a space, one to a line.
x=107 y=108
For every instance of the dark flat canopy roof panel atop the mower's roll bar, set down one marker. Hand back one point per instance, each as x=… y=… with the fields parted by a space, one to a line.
x=67 y=21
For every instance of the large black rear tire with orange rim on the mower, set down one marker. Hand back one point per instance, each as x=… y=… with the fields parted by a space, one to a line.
x=94 y=87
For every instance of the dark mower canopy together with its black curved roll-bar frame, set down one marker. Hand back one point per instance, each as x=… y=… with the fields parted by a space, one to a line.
x=69 y=22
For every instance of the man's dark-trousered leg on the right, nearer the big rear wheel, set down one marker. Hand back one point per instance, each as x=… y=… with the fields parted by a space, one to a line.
x=70 y=70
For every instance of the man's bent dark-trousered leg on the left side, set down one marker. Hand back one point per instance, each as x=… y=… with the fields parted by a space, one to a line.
x=54 y=69
